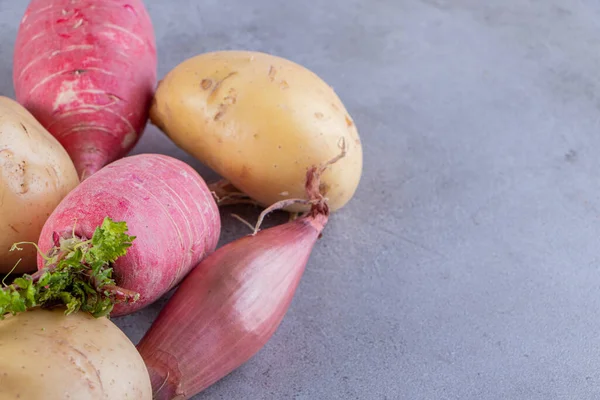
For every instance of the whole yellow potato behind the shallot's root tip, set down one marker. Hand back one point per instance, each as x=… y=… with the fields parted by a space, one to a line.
x=260 y=121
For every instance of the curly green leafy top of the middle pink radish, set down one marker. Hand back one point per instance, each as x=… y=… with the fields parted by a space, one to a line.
x=77 y=274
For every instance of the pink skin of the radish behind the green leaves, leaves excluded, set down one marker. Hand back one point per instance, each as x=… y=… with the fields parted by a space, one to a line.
x=167 y=207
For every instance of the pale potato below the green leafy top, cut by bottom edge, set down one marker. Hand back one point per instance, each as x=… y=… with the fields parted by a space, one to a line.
x=45 y=355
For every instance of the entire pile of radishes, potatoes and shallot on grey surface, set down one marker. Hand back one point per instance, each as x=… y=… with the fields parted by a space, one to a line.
x=89 y=232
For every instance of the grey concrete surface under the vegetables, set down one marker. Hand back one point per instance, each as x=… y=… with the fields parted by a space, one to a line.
x=467 y=266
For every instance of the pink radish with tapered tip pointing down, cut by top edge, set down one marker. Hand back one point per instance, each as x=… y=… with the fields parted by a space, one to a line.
x=87 y=71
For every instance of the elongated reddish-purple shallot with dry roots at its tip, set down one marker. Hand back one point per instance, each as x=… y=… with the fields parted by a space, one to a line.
x=230 y=305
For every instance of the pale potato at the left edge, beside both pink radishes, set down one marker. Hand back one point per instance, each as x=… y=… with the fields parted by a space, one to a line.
x=35 y=174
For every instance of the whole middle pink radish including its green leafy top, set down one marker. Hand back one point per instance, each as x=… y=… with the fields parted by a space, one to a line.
x=146 y=220
